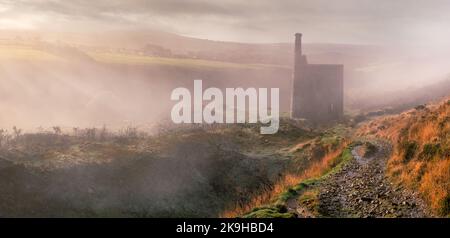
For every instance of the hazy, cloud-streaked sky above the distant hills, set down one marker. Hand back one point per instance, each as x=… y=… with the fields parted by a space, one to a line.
x=340 y=21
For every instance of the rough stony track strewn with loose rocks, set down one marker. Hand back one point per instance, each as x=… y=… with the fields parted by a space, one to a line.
x=361 y=189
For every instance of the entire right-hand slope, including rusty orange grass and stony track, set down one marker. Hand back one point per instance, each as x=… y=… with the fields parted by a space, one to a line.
x=396 y=166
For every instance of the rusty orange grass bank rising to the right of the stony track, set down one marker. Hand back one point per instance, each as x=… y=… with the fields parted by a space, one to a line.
x=421 y=158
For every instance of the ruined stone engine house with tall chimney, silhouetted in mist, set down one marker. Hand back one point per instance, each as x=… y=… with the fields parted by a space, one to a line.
x=318 y=89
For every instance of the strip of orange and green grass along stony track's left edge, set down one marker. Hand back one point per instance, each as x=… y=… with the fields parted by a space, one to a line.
x=311 y=161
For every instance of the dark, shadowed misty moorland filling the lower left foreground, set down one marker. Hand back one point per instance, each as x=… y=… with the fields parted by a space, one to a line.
x=180 y=172
